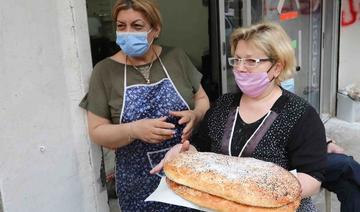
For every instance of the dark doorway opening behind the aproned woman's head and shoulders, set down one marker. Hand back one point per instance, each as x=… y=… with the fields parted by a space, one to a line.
x=190 y=32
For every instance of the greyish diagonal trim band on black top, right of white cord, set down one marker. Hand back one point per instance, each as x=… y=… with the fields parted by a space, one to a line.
x=259 y=134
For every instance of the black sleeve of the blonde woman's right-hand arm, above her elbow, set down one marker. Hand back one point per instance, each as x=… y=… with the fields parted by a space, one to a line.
x=307 y=146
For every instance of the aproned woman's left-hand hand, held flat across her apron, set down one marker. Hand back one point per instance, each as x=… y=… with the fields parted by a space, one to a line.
x=152 y=130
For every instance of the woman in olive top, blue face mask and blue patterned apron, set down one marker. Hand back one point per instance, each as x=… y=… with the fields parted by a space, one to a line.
x=142 y=101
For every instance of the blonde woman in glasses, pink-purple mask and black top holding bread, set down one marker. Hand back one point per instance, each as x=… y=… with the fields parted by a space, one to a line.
x=265 y=121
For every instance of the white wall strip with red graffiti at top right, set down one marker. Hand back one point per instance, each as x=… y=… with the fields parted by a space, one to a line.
x=349 y=55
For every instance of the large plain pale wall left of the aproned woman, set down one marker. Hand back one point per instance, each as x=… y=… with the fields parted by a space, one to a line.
x=46 y=160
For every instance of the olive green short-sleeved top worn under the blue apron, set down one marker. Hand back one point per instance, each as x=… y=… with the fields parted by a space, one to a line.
x=106 y=90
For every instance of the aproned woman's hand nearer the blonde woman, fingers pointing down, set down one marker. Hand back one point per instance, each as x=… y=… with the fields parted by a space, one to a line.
x=187 y=117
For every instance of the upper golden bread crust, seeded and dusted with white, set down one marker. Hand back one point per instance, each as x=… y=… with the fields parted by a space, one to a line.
x=247 y=181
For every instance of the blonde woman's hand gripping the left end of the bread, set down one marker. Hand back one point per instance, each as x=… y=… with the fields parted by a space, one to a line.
x=171 y=154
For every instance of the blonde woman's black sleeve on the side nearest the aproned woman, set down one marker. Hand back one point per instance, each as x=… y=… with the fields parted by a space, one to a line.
x=200 y=137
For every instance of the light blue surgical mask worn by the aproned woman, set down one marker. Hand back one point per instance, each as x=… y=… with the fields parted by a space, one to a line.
x=133 y=44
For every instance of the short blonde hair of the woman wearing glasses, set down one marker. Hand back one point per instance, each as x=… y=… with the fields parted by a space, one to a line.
x=272 y=39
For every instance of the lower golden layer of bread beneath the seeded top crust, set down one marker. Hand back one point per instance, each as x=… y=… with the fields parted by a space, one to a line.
x=219 y=204
